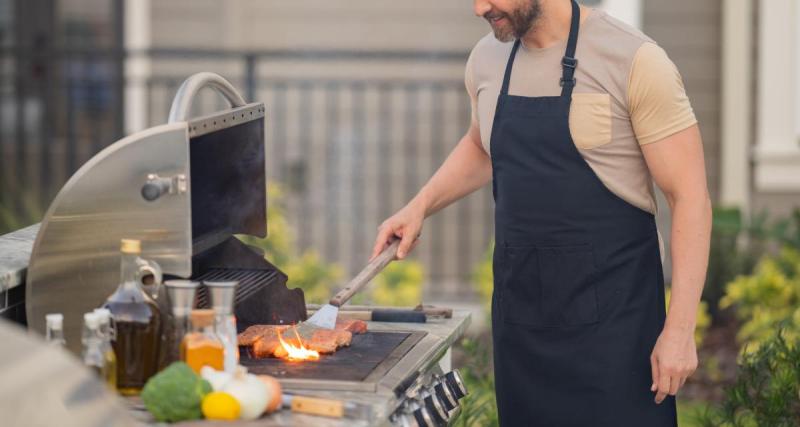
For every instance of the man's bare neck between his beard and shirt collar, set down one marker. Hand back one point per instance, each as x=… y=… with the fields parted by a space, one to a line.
x=553 y=24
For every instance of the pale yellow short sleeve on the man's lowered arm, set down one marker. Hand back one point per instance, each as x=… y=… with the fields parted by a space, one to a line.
x=657 y=100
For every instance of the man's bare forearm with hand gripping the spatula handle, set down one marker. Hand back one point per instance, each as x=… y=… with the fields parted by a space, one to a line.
x=466 y=169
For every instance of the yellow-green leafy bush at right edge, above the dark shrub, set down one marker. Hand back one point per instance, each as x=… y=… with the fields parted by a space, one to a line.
x=766 y=299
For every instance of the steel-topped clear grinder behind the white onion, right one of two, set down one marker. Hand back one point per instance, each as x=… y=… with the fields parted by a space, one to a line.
x=222 y=298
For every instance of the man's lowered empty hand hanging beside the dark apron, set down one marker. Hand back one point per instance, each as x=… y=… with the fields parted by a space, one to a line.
x=673 y=360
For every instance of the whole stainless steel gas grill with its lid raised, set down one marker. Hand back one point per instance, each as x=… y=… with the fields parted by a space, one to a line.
x=185 y=189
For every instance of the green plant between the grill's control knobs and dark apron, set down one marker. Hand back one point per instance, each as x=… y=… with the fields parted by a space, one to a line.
x=479 y=407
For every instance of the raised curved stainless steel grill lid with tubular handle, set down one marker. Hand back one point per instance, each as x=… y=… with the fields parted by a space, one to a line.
x=180 y=188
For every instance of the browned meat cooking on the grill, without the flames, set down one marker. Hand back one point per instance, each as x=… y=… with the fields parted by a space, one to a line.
x=263 y=339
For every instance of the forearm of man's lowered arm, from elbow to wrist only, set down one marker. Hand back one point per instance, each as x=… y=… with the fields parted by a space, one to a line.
x=691 y=234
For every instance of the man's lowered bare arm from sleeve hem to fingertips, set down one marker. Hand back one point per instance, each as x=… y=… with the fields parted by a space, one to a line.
x=677 y=165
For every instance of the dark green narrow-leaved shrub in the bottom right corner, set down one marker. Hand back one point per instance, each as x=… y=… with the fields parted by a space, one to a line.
x=766 y=389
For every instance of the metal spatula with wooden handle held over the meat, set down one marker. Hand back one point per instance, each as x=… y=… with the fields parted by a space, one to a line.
x=325 y=317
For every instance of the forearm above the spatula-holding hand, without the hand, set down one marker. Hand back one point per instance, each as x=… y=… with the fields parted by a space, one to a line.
x=466 y=169
